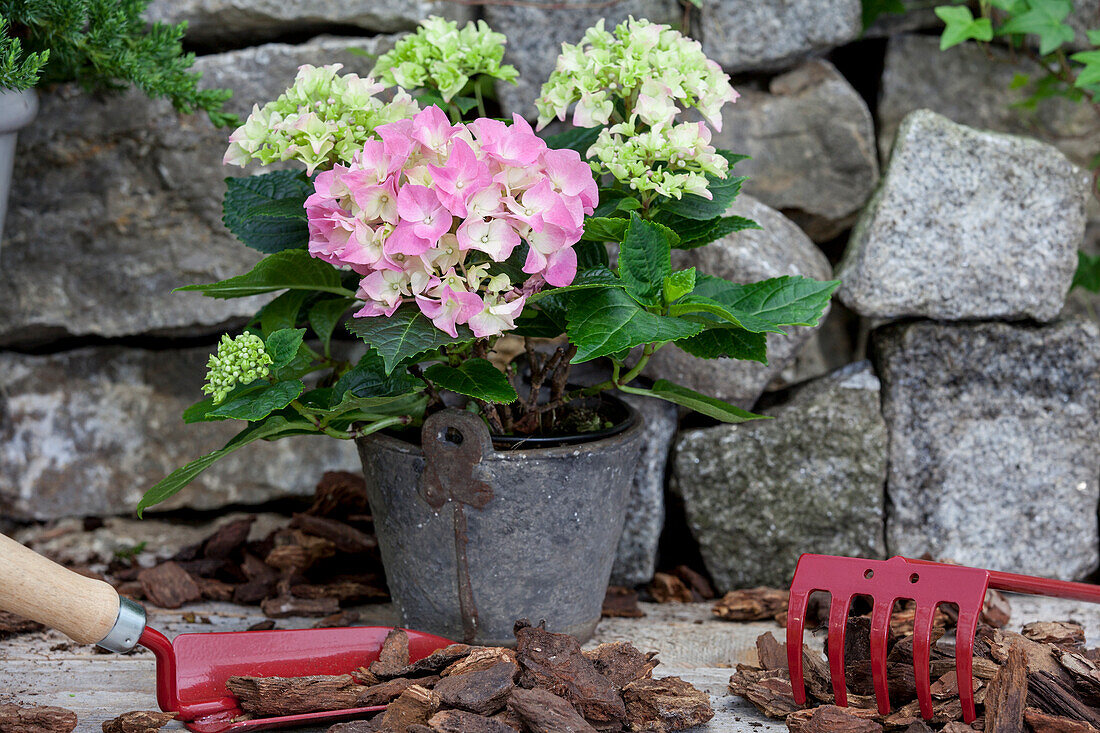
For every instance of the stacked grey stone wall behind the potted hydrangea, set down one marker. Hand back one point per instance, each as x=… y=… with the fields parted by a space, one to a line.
x=972 y=433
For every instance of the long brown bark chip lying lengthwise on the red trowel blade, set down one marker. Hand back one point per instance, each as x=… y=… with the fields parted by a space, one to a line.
x=290 y=696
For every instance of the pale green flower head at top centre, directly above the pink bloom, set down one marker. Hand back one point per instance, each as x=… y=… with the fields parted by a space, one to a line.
x=443 y=57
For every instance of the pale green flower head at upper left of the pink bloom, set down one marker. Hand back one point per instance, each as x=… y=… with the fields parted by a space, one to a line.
x=323 y=119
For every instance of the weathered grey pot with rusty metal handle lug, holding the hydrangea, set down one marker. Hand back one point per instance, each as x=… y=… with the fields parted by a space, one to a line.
x=474 y=539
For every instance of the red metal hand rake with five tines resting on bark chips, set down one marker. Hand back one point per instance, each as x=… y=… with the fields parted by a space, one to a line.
x=887 y=582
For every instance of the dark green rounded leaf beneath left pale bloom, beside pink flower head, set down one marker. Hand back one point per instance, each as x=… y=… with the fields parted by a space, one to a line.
x=267 y=212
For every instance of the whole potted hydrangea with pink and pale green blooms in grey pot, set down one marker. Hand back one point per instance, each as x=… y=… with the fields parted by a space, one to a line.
x=499 y=488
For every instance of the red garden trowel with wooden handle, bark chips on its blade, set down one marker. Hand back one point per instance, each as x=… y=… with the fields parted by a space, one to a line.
x=192 y=671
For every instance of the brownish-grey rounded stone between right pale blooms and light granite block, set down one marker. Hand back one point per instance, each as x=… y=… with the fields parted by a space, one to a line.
x=812 y=143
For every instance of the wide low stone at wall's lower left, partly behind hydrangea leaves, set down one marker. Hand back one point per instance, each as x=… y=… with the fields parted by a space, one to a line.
x=85 y=433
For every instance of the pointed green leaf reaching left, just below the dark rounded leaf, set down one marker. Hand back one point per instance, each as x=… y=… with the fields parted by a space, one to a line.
x=293 y=270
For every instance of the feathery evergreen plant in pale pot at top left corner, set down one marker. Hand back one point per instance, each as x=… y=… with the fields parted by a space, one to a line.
x=105 y=46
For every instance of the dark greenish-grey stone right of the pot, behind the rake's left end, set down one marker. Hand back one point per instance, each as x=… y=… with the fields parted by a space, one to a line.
x=760 y=495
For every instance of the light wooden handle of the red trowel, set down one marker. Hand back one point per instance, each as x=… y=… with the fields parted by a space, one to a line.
x=83 y=609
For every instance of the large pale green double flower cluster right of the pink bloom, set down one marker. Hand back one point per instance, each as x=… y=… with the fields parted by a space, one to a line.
x=644 y=76
